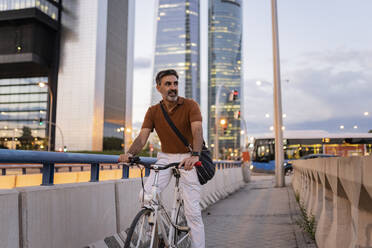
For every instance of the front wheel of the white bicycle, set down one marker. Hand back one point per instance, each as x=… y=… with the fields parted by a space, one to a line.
x=140 y=231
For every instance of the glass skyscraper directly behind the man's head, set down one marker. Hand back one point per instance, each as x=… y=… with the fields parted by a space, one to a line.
x=177 y=45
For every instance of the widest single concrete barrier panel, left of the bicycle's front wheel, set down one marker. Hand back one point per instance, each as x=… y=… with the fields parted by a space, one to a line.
x=69 y=215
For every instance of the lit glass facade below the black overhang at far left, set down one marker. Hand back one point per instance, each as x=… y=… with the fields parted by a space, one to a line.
x=22 y=104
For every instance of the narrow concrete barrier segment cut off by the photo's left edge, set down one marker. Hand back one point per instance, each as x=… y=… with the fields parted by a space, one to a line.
x=9 y=231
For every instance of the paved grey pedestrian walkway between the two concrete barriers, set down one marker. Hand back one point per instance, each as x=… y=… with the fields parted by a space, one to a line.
x=258 y=215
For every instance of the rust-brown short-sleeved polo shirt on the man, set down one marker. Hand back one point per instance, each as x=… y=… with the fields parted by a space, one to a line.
x=186 y=111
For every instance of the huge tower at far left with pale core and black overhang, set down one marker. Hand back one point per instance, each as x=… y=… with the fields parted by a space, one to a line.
x=81 y=53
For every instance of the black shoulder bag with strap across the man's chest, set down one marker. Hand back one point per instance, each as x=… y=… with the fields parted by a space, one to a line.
x=208 y=168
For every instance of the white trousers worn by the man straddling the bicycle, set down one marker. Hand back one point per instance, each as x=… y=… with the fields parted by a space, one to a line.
x=190 y=192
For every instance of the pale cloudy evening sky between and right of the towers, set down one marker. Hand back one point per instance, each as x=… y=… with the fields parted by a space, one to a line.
x=325 y=63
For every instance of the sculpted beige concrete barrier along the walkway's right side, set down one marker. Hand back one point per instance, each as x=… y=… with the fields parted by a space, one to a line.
x=338 y=192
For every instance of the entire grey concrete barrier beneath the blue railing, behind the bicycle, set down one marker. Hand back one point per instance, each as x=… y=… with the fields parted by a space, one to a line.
x=75 y=215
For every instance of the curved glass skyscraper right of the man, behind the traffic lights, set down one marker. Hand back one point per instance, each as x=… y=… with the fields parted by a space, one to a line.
x=224 y=75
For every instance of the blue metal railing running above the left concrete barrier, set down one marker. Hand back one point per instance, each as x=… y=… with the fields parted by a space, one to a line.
x=23 y=159
